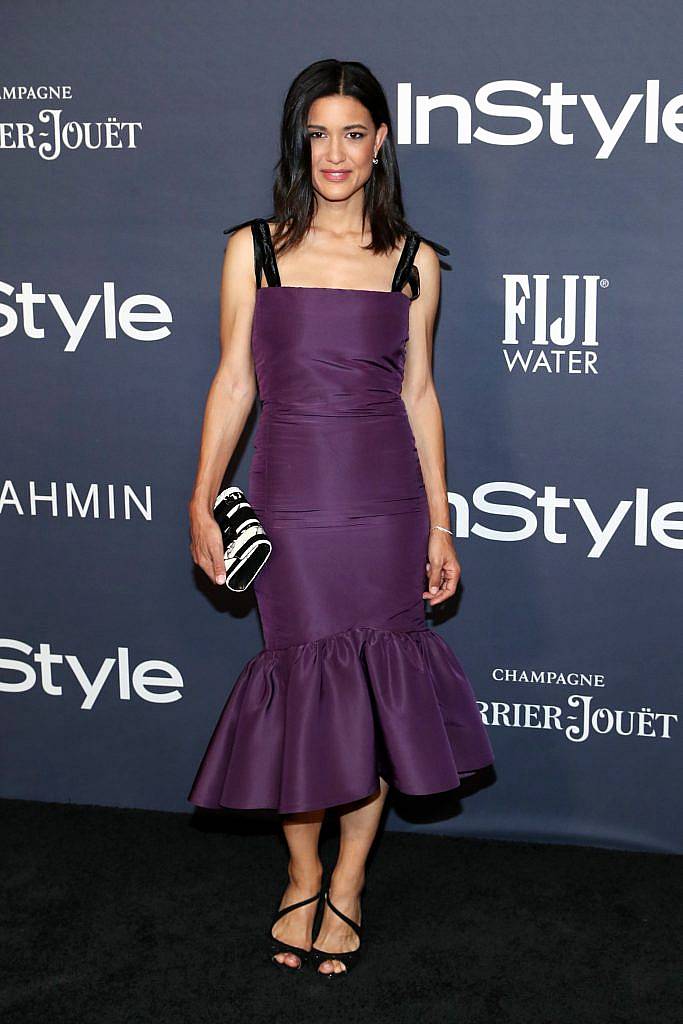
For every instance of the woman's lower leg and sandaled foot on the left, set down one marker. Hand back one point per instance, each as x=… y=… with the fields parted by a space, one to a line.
x=306 y=873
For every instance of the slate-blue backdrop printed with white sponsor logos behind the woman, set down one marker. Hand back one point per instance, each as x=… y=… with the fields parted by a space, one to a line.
x=543 y=145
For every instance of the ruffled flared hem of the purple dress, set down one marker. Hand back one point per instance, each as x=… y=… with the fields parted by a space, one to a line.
x=316 y=726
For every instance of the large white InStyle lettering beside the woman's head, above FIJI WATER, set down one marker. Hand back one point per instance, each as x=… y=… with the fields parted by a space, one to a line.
x=589 y=116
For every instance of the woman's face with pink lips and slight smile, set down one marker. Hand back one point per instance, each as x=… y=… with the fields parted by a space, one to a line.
x=344 y=142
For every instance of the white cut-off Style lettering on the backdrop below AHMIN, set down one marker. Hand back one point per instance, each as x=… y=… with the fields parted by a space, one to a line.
x=152 y=681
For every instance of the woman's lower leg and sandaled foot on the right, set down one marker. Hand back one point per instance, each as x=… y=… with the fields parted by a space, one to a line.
x=358 y=831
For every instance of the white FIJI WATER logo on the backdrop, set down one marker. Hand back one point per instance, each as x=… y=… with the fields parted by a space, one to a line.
x=570 y=343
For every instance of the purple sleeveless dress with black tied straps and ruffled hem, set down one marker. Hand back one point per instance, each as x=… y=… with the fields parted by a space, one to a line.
x=353 y=682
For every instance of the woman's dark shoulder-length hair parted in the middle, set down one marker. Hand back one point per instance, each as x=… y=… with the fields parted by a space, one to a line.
x=294 y=200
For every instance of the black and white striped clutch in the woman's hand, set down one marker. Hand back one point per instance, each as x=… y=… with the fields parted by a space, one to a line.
x=247 y=544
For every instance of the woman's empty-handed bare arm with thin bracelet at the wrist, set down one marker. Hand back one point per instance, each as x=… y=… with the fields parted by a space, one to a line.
x=424 y=412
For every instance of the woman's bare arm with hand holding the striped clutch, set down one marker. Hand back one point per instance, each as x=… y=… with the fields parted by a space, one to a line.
x=229 y=403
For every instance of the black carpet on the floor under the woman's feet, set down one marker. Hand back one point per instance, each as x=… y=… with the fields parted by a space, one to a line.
x=118 y=916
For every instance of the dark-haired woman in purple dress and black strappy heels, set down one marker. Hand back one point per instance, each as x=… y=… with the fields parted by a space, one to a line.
x=354 y=692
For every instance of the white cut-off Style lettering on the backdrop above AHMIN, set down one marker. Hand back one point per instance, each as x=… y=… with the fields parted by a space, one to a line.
x=113 y=316
